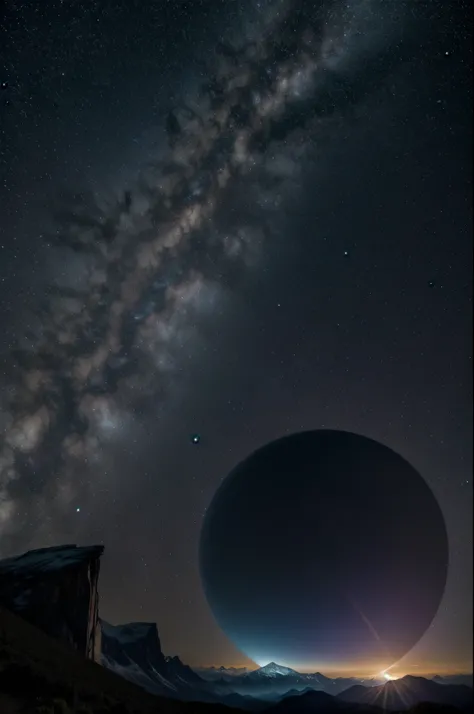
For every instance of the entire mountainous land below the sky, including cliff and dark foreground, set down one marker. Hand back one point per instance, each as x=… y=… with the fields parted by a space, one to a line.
x=53 y=643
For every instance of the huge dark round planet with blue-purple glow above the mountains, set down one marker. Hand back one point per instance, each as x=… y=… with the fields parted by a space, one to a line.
x=324 y=549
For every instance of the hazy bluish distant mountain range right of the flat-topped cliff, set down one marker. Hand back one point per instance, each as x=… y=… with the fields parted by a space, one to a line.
x=133 y=651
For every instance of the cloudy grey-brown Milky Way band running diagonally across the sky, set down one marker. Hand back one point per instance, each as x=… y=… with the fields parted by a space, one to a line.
x=134 y=277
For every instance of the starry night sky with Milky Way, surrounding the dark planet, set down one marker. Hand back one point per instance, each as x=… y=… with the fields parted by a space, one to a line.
x=230 y=221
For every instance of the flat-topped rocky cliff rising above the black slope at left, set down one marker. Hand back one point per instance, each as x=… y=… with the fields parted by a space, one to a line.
x=56 y=589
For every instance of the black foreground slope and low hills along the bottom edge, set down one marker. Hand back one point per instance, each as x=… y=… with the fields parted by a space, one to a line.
x=43 y=675
